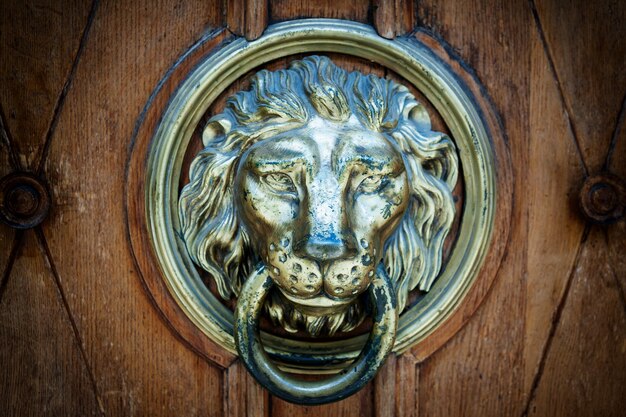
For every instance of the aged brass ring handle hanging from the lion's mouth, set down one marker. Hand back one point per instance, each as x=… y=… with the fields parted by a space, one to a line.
x=337 y=387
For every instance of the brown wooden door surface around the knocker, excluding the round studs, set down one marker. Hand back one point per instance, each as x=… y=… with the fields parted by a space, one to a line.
x=79 y=334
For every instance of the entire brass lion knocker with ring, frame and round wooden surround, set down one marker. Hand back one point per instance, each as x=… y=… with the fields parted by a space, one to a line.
x=317 y=221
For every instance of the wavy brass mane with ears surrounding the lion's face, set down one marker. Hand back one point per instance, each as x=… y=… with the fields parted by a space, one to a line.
x=287 y=99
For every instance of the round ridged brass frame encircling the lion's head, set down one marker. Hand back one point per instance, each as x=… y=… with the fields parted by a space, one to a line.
x=411 y=60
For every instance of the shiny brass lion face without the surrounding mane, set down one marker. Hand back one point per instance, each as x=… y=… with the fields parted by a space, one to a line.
x=320 y=202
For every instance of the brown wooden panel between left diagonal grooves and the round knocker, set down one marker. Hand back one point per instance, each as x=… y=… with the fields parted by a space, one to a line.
x=139 y=366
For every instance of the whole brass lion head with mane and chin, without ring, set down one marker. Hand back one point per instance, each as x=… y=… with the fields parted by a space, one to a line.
x=320 y=174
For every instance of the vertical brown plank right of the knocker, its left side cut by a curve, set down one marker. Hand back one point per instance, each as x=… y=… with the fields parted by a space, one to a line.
x=481 y=369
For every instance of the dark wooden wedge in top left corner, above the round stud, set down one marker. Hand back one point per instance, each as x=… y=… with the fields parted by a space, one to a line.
x=39 y=44
